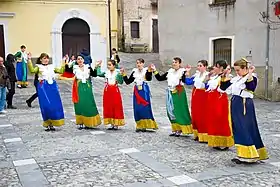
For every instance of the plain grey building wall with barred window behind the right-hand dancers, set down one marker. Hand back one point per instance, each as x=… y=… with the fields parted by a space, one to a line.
x=222 y=29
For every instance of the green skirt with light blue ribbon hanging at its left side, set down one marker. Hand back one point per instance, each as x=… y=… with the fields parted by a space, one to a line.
x=178 y=111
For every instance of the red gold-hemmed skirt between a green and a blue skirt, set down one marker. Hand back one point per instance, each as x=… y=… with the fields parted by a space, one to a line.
x=112 y=106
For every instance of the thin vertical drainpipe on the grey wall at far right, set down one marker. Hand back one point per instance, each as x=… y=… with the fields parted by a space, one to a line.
x=267 y=51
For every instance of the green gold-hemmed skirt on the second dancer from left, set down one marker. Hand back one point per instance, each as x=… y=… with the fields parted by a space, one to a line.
x=85 y=109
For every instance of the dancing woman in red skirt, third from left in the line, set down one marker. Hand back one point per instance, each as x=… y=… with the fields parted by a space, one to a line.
x=112 y=100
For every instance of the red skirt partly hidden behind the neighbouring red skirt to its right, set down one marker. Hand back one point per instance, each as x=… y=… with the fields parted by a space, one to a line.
x=198 y=110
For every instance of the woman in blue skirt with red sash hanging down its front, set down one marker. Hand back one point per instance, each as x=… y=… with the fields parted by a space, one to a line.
x=142 y=107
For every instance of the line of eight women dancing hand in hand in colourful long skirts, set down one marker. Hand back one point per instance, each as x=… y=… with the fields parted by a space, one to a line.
x=212 y=119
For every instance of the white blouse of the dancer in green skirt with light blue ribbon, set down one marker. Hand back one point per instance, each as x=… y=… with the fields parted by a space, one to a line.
x=174 y=78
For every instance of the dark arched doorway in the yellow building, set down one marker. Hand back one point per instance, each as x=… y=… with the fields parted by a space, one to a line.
x=75 y=36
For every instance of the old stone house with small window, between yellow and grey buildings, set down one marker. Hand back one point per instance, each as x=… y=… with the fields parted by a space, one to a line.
x=138 y=28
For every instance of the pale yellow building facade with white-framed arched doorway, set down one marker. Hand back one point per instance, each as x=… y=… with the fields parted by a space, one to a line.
x=57 y=28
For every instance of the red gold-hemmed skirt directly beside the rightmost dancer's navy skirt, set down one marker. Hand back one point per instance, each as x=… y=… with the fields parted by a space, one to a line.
x=218 y=120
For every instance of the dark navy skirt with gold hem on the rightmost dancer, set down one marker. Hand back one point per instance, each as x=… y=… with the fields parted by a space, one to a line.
x=246 y=133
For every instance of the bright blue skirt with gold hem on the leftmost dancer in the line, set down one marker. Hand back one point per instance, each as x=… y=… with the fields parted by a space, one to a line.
x=50 y=104
